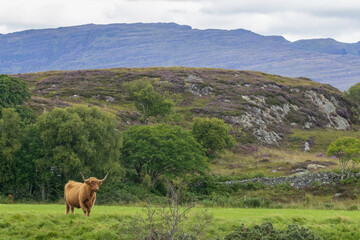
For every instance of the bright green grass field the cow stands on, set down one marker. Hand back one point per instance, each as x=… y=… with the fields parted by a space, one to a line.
x=21 y=221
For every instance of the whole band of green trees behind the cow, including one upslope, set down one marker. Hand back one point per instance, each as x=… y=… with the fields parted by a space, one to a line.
x=39 y=154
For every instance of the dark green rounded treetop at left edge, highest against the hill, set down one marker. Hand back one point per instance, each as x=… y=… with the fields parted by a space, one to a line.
x=13 y=91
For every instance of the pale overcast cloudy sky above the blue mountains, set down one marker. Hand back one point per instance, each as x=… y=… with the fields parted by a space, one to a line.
x=293 y=19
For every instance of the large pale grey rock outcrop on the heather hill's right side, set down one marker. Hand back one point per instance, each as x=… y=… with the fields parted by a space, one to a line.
x=314 y=110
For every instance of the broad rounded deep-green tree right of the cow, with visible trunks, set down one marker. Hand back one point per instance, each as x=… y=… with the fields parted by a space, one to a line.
x=161 y=150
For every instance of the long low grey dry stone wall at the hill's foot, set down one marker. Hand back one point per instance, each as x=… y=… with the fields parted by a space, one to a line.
x=296 y=181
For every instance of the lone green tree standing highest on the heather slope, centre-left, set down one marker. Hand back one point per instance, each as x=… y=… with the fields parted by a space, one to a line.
x=148 y=101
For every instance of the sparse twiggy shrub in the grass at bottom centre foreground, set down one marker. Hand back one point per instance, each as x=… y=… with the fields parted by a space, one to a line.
x=172 y=221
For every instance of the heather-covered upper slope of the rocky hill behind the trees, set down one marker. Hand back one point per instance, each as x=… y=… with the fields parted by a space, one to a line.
x=263 y=105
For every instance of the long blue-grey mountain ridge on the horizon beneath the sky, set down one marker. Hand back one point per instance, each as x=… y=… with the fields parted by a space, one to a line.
x=168 y=44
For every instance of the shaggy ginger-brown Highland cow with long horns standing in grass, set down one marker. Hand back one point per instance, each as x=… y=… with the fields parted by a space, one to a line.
x=82 y=195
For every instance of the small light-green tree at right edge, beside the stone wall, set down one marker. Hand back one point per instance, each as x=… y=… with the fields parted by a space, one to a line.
x=346 y=149
